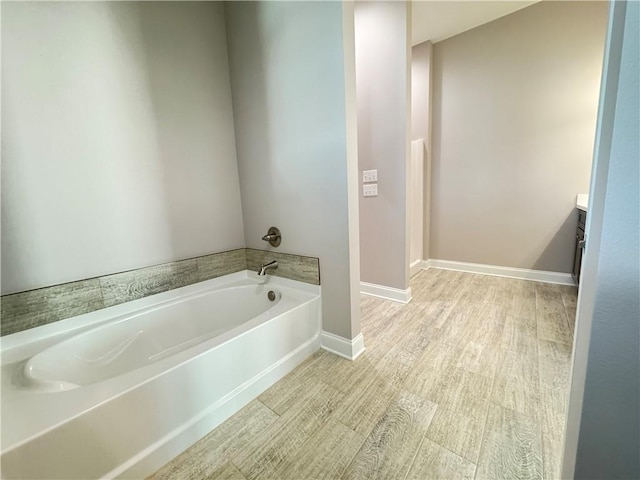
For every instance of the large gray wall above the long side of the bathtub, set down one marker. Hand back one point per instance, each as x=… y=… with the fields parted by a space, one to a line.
x=118 y=144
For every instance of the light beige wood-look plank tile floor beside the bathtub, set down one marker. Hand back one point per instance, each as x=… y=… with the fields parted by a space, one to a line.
x=469 y=380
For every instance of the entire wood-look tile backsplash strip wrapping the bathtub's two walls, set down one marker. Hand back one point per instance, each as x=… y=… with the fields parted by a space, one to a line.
x=24 y=310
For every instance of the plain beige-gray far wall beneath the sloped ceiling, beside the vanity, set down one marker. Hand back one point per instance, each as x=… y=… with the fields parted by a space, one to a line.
x=514 y=114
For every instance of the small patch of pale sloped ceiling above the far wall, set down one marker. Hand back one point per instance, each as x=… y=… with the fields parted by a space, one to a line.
x=441 y=19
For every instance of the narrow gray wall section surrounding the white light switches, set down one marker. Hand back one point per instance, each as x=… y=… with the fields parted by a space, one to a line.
x=383 y=96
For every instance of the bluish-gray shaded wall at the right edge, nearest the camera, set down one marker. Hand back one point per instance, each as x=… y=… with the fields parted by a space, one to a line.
x=608 y=442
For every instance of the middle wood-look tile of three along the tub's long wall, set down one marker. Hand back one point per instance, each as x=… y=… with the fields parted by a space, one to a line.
x=140 y=283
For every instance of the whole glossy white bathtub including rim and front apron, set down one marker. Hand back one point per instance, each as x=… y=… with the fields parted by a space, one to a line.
x=118 y=392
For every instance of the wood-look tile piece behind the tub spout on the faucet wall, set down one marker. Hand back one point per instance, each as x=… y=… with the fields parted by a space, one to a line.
x=293 y=267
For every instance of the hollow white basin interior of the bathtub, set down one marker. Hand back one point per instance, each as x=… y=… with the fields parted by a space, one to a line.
x=133 y=342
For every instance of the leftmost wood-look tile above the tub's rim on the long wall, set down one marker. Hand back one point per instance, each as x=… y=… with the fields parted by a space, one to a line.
x=21 y=311
